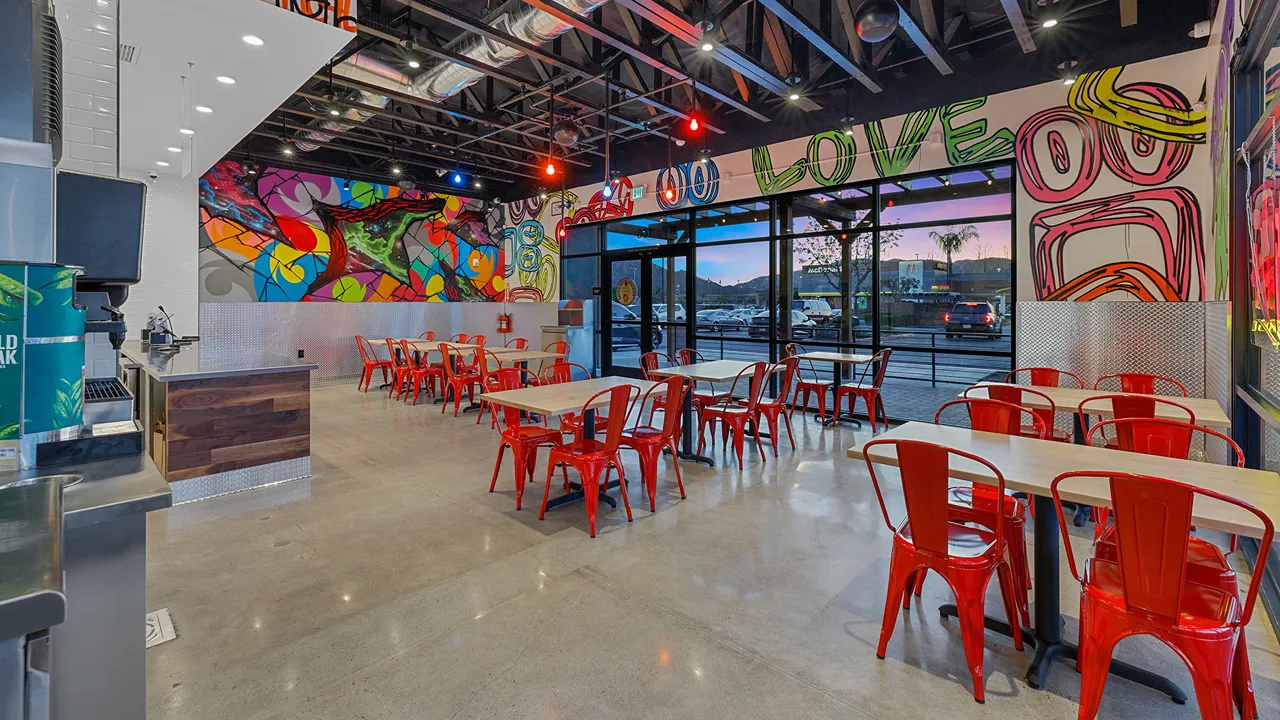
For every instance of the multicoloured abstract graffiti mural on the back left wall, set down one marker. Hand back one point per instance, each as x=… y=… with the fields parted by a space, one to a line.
x=284 y=236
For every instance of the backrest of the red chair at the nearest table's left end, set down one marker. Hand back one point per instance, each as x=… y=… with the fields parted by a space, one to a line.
x=925 y=468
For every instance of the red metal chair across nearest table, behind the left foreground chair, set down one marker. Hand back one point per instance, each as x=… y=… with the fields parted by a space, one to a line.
x=977 y=504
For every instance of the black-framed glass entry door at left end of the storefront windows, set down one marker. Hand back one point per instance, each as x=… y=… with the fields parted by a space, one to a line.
x=651 y=312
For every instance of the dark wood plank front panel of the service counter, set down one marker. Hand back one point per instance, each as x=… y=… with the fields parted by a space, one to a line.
x=222 y=425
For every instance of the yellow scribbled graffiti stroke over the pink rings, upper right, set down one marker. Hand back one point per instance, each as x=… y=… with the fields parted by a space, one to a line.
x=1096 y=95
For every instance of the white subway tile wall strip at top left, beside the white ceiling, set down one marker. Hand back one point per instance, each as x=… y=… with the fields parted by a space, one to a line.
x=90 y=86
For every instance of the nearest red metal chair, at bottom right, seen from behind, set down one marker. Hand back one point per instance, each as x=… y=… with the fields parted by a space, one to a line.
x=1146 y=590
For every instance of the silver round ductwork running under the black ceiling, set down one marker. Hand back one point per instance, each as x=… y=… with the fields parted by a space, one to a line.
x=446 y=80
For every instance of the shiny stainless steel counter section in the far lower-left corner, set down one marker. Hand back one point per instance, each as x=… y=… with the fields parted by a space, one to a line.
x=31 y=562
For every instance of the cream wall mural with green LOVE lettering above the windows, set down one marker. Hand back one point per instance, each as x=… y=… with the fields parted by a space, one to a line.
x=1113 y=198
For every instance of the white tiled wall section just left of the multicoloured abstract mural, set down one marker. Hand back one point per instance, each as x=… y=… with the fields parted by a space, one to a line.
x=171 y=240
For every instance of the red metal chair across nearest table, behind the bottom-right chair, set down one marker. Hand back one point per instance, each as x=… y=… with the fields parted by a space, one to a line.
x=1206 y=563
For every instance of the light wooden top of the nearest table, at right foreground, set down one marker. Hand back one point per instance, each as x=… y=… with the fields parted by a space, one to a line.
x=1030 y=466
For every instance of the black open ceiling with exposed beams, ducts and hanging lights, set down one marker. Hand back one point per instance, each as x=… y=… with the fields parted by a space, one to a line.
x=648 y=54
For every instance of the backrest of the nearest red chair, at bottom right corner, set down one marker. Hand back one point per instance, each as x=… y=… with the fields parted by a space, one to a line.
x=1153 y=525
